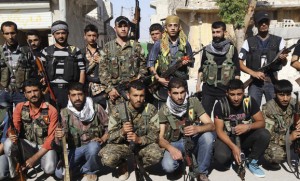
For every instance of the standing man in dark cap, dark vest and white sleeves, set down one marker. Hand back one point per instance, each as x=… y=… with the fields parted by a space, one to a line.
x=259 y=51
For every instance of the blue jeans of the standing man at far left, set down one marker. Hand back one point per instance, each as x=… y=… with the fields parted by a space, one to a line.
x=11 y=97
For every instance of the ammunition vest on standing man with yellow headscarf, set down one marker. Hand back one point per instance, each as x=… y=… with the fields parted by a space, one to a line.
x=165 y=61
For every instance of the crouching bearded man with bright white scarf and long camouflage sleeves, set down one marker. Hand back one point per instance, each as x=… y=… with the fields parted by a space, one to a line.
x=85 y=124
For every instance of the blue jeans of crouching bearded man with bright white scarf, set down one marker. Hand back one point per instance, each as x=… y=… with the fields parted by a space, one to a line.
x=85 y=159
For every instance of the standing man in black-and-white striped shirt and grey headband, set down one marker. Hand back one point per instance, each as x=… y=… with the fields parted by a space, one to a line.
x=64 y=63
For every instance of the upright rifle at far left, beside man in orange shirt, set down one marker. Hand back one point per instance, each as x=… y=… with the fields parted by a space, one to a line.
x=21 y=167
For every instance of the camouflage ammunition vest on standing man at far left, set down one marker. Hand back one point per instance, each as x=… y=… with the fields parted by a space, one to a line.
x=21 y=72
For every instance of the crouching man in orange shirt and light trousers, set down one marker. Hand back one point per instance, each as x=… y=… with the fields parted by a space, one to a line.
x=35 y=121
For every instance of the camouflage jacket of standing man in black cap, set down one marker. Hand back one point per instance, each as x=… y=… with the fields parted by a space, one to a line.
x=121 y=64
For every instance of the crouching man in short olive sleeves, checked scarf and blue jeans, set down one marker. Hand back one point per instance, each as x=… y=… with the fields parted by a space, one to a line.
x=173 y=133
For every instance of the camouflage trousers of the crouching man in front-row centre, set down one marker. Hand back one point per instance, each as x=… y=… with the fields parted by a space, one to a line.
x=113 y=154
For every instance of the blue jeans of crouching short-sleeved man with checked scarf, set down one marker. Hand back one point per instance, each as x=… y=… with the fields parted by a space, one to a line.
x=203 y=152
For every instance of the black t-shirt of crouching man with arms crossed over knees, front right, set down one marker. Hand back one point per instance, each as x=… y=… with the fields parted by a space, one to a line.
x=237 y=111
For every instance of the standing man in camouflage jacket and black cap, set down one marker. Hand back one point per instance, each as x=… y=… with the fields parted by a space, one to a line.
x=124 y=61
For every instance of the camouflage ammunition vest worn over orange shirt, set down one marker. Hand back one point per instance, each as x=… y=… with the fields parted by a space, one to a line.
x=35 y=130
